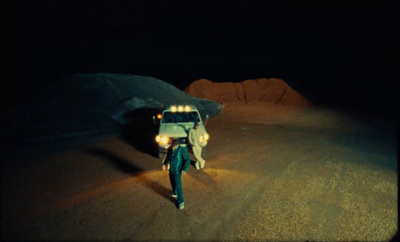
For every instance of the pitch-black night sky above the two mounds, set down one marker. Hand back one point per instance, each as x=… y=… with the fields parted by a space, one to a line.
x=339 y=52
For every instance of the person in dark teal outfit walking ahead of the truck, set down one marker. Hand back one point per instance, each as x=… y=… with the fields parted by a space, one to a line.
x=178 y=160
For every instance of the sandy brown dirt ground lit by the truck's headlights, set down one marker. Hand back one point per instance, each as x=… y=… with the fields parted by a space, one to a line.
x=271 y=174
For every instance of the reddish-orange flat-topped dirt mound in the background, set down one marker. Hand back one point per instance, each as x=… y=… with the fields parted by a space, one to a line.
x=258 y=91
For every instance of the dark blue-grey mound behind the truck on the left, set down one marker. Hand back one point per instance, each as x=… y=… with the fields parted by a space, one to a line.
x=81 y=104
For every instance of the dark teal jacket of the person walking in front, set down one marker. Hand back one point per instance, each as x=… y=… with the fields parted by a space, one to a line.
x=178 y=159
